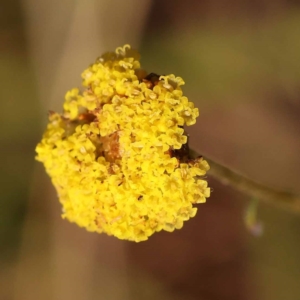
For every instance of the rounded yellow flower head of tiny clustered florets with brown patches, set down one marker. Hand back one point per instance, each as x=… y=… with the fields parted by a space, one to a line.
x=118 y=154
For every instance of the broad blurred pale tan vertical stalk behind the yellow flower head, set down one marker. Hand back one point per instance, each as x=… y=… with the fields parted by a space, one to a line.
x=61 y=45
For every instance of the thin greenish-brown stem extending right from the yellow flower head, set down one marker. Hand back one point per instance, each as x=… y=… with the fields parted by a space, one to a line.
x=282 y=199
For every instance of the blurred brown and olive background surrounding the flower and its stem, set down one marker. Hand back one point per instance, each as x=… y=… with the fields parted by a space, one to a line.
x=241 y=64
